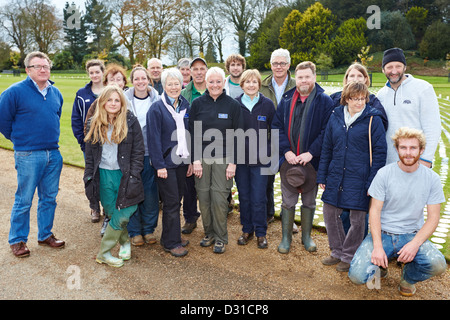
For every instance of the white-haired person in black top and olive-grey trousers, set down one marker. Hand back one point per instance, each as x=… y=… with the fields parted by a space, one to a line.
x=214 y=170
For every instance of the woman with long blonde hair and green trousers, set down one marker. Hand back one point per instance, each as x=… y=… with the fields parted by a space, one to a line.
x=114 y=161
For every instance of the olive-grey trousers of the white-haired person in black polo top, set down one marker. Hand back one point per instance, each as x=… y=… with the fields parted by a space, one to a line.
x=213 y=189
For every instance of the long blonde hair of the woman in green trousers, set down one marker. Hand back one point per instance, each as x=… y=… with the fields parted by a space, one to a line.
x=99 y=122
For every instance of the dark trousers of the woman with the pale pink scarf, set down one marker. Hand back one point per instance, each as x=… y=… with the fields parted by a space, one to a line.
x=171 y=190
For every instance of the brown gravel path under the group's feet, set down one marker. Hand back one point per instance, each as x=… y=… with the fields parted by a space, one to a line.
x=241 y=273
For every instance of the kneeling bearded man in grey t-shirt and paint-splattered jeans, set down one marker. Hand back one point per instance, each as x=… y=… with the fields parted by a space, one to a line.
x=399 y=194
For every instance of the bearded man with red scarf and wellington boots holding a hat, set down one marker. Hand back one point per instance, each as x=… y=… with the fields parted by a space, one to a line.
x=301 y=119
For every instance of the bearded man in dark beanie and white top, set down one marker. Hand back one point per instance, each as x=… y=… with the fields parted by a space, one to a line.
x=408 y=102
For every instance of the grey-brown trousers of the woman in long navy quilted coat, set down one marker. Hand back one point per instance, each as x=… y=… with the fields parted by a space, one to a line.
x=343 y=246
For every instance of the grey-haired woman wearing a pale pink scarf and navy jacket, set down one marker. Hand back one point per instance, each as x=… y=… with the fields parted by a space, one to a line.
x=167 y=118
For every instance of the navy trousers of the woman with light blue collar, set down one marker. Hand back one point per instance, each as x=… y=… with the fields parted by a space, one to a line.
x=252 y=186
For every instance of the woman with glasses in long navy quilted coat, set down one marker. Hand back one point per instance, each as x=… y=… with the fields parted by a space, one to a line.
x=346 y=169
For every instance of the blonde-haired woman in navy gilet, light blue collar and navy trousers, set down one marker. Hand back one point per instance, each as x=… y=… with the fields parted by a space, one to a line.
x=258 y=112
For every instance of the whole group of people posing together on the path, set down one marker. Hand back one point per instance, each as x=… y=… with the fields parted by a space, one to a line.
x=185 y=133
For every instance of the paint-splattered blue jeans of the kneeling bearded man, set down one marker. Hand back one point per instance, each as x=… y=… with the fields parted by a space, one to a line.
x=428 y=262
